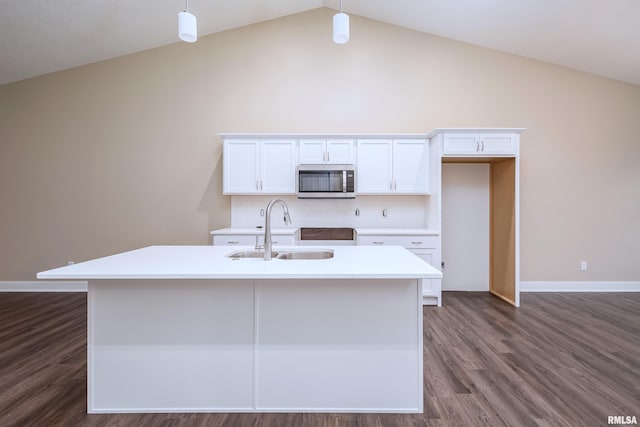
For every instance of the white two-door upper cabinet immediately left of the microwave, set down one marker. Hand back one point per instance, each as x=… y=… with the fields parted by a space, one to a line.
x=259 y=167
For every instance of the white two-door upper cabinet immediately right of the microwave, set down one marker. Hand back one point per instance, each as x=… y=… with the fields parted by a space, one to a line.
x=387 y=166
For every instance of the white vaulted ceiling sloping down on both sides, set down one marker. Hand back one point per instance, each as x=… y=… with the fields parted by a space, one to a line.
x=597 y=36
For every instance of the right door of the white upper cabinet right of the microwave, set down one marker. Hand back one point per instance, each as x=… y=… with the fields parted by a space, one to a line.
x=410 y=167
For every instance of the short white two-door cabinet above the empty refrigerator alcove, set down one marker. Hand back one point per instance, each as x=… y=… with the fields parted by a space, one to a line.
x=480 y=144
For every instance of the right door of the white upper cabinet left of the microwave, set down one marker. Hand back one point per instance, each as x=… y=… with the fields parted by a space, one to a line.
x=278 y=167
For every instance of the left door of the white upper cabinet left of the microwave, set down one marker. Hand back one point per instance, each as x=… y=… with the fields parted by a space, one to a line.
x=240 y=165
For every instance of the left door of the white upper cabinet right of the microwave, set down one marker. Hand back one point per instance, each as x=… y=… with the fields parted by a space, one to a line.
x=374 y=168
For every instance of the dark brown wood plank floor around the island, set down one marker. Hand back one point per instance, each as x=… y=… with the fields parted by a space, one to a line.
x=559 y=360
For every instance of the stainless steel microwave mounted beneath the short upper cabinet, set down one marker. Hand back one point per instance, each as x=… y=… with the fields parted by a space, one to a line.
x=326 y=182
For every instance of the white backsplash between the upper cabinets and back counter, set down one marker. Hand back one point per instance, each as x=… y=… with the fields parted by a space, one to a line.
x=402 y=212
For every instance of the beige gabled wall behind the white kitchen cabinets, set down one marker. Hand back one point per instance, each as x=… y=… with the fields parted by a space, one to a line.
x=124 y=153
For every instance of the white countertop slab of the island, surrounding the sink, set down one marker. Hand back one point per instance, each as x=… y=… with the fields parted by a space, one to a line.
x=209 y=262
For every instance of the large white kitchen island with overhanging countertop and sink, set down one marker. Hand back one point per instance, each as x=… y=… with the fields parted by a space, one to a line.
x=186 y=329
